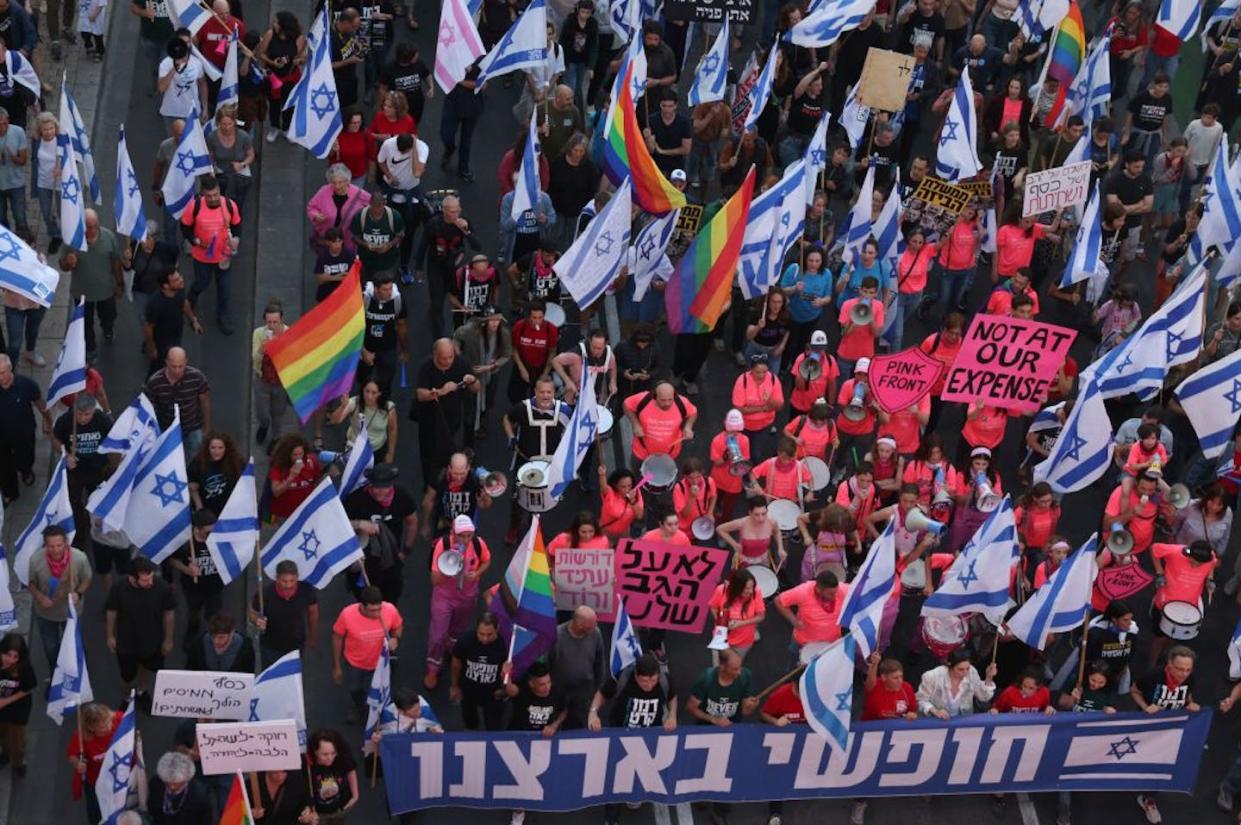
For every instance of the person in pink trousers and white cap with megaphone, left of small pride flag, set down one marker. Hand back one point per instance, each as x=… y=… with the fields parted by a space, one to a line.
x=454 y=596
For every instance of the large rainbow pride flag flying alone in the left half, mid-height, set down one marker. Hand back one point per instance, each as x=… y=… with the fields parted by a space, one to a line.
x=318 y=355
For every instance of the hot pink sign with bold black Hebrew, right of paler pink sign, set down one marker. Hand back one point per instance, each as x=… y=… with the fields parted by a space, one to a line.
x=668 y=586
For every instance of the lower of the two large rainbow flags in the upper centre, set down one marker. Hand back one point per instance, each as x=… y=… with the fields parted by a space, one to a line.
x=703 y=282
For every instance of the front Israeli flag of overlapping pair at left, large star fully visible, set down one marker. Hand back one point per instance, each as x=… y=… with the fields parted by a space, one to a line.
x=158 y=515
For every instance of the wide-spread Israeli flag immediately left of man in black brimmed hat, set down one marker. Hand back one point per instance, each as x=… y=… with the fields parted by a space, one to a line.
x=317 y=538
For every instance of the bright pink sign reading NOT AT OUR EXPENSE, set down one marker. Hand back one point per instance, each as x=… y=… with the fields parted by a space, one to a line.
x=1008 y=363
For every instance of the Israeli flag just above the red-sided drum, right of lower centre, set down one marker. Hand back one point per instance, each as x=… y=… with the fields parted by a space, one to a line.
x=980 y=577
